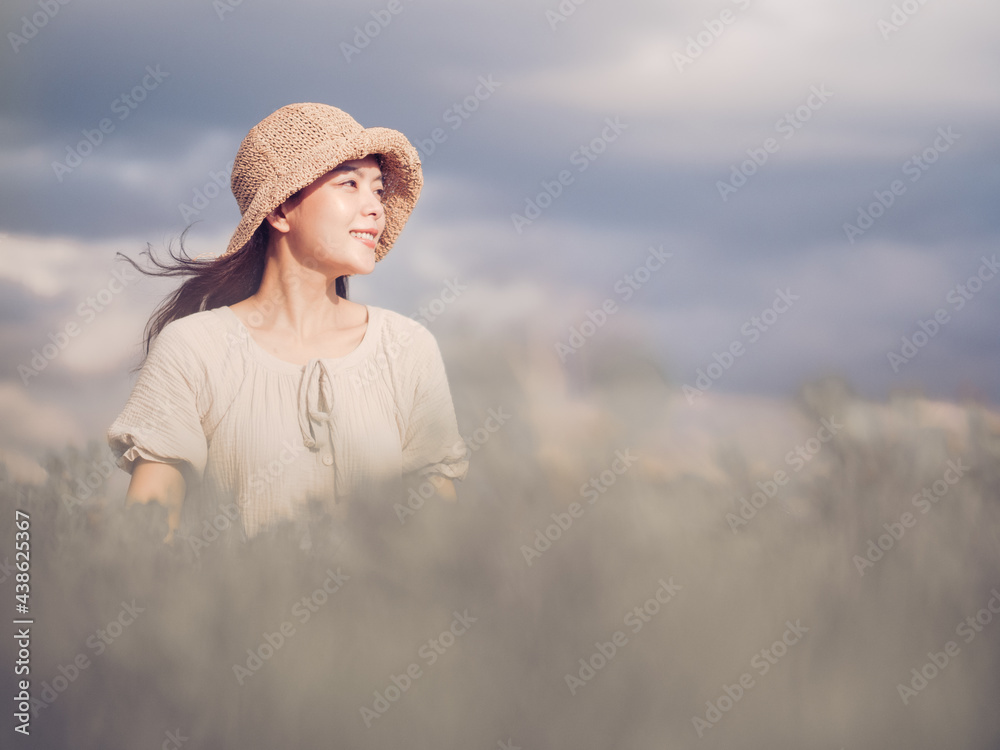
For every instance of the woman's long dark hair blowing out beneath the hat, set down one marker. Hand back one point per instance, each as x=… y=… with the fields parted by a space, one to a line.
x=213 y=283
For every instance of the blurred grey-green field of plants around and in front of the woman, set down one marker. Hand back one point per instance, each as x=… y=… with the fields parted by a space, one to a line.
x=504 y=678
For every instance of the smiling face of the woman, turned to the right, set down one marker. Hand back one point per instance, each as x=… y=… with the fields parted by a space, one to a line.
x=339 y=218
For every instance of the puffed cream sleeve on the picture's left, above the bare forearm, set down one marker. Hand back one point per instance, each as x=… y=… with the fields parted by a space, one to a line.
x=162 y=419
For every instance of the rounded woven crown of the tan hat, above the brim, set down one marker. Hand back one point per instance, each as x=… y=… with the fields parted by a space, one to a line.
x=281 y=141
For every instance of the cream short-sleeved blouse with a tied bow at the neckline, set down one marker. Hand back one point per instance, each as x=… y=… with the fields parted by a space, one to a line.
x=273 y=436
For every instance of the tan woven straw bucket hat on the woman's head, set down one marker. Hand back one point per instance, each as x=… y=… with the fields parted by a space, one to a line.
x=298 y=144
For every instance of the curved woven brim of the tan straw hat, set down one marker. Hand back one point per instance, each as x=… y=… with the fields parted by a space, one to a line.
x=402 y=180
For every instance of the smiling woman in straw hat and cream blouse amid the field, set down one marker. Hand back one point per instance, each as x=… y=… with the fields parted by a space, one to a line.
x=263 y=385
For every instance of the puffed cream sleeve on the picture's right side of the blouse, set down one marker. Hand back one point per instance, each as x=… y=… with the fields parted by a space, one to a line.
x=433 y=444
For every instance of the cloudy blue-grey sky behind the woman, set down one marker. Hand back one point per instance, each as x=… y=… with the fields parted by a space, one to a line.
x=820 y=177
